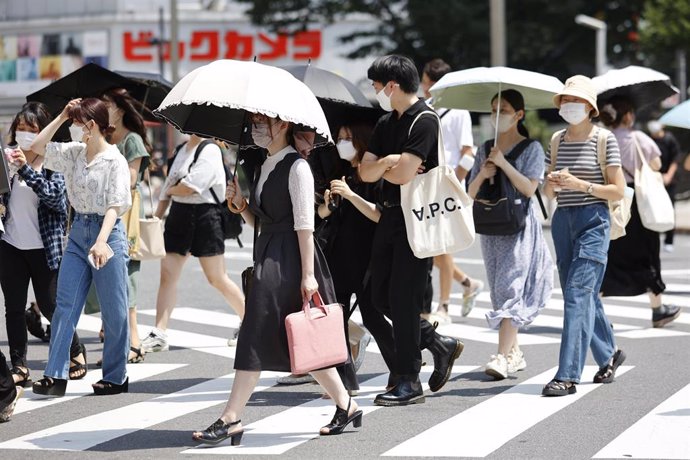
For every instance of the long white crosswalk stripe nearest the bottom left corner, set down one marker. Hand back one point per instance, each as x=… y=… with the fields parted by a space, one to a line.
x=87 y=432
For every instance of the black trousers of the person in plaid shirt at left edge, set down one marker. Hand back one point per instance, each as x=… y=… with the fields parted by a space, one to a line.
x=17 y=268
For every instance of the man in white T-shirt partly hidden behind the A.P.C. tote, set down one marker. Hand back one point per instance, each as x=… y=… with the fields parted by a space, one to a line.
x=457 y=140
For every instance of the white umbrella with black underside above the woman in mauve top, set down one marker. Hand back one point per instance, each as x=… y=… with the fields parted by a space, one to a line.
x=642 y=85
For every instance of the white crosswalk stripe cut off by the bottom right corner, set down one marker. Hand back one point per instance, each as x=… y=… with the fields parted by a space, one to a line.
x=662 y=433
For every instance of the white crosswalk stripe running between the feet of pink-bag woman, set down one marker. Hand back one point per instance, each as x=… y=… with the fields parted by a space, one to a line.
x=288 y=429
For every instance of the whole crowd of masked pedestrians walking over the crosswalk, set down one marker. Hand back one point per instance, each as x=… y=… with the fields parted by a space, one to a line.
x=62 y=229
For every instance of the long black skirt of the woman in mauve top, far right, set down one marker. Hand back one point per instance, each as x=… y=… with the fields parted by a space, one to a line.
x=634 y=266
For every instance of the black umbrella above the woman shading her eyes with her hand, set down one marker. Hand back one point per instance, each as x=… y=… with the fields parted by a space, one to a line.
x=90 y=80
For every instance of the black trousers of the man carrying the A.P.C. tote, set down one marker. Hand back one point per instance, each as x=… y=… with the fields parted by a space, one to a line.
x=398 y=285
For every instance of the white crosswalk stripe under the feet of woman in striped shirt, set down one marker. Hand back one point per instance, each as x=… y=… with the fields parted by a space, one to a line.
x=505 y=416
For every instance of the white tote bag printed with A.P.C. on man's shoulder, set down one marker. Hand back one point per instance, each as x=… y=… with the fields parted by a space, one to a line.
x=437 y=209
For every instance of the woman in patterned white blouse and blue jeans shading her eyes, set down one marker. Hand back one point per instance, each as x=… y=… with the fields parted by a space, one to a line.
x=98 y=188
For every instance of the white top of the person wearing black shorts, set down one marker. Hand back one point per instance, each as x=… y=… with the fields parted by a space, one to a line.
x=207 y=172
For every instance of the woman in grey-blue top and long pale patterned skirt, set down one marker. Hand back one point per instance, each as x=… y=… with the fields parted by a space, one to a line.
x=518 y=266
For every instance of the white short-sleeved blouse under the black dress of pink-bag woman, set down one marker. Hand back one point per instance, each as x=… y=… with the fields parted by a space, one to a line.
x=300 y=185
